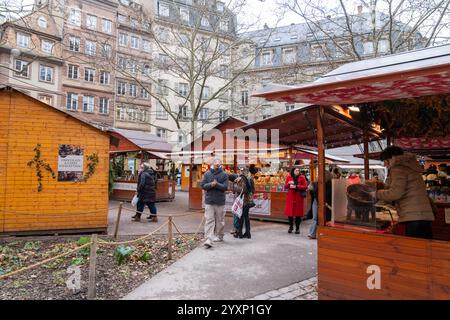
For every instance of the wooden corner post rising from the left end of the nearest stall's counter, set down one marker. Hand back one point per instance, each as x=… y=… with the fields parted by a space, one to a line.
x=321 y=167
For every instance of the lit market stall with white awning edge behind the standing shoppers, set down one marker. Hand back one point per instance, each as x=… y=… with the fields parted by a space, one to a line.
x=273 y=161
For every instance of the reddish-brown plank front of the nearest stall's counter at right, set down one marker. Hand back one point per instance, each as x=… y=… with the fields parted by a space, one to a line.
x=410 y=268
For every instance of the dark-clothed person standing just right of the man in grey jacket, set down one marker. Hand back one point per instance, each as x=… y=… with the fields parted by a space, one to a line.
x=246 y=186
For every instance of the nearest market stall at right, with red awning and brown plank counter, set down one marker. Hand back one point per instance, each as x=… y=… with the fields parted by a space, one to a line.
x=407 y=95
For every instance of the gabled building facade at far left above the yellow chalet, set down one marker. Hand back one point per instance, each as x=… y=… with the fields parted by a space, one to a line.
x=31 y=57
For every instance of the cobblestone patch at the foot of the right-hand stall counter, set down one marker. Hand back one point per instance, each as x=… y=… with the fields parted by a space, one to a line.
x=303 y=290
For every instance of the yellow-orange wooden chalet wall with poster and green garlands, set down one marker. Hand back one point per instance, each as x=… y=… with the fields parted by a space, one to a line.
x=25 y=122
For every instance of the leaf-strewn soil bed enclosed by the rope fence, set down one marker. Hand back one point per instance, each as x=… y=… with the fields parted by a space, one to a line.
x=113 y=280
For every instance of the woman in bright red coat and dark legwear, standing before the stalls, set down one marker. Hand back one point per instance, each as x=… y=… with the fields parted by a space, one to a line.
x=295 y=183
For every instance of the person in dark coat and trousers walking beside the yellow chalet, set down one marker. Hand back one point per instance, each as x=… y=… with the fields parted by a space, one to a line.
x=146 y=192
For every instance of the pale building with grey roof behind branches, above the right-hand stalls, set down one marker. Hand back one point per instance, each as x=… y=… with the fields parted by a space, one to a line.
x=299 y=53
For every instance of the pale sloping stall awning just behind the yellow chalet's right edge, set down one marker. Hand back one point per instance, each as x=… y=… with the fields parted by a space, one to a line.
x=134 y=140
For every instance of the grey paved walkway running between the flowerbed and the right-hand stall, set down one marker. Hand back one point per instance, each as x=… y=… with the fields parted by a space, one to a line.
x=240 y=269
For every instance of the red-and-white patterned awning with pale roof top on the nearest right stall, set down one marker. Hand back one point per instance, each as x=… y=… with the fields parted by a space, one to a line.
x=404 y=75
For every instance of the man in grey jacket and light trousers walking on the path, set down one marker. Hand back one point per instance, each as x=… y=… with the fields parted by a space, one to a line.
x=215 y=183
